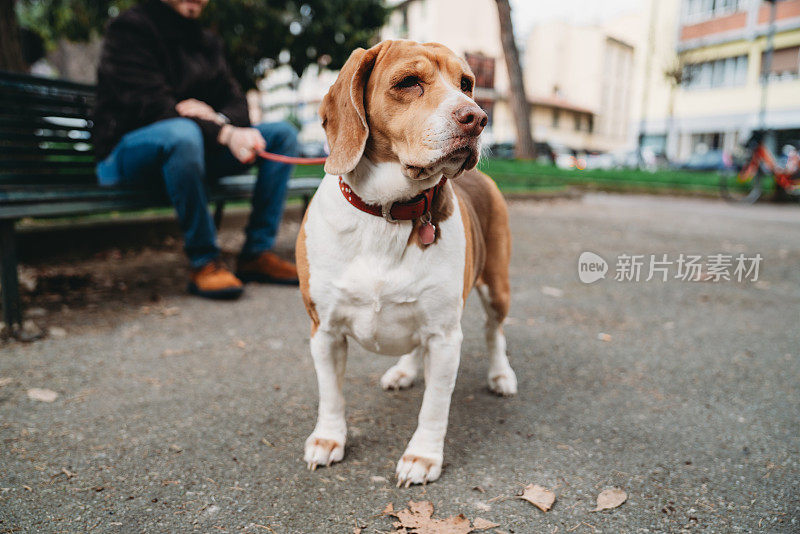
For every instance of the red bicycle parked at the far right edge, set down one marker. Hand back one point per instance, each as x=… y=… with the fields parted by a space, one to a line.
x=762 y=174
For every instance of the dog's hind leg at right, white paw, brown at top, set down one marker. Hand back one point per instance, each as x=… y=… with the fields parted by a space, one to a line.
x=501 y=377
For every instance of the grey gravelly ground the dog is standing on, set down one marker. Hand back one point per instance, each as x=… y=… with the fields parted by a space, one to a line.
x=176 y=414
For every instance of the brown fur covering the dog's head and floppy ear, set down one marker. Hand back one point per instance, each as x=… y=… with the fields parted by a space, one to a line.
x=366 y=113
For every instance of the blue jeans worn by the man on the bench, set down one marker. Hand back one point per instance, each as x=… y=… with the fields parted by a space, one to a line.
x=172 y=150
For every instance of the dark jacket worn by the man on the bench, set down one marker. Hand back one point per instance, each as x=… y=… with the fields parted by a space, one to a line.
x=152 y=59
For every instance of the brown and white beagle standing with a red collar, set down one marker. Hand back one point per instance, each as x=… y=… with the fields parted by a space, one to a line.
x=392 y=244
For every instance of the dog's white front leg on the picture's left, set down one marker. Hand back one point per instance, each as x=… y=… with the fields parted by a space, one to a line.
x=326 y=444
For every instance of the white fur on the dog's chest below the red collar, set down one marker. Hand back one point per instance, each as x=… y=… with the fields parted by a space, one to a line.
x=368 y=282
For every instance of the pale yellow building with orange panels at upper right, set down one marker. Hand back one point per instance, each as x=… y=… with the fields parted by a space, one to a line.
x=719 y=66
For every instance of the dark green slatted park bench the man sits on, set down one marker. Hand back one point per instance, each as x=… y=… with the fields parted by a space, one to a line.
x=47 y=169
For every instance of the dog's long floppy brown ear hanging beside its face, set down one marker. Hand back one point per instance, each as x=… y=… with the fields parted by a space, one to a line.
x=342 y=111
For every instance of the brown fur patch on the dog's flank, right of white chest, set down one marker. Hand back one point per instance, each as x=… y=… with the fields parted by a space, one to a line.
x=482 y=203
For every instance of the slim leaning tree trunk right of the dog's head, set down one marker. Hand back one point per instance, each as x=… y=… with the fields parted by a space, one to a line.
x=520 y=108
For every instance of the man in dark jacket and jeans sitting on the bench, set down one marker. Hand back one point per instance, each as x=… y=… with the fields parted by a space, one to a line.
x=169 y=110
